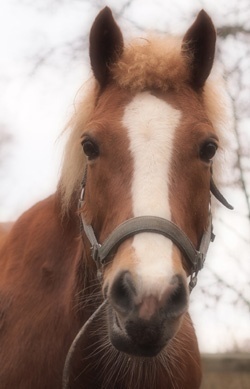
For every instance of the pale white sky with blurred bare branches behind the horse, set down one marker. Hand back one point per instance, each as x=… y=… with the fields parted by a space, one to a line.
x=43 y=63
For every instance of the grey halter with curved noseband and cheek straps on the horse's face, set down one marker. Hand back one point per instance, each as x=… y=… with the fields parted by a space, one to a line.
x=155 y=224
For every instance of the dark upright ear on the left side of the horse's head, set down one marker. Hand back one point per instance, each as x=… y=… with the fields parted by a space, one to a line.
x=105 y=45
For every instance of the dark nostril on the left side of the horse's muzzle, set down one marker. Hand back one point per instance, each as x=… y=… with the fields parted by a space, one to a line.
x=122 y=293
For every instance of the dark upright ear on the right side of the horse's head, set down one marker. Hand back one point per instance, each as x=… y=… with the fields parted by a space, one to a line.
x=199 y=43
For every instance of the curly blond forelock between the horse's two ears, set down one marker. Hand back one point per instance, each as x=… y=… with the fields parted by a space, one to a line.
x=153 y=62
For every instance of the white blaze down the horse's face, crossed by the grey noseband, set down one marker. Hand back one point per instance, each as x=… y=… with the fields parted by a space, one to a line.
x=151 y=125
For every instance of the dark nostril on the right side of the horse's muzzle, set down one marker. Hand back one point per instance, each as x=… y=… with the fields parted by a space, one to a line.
x=177 y=300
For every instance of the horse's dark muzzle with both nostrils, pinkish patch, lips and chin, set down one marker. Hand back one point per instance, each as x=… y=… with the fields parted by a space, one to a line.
x=143 y=326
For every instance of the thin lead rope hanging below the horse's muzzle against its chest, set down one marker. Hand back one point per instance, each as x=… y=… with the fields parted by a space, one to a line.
x=66 y=369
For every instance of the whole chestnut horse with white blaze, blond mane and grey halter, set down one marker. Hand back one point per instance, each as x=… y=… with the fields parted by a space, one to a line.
x=95 y=279
